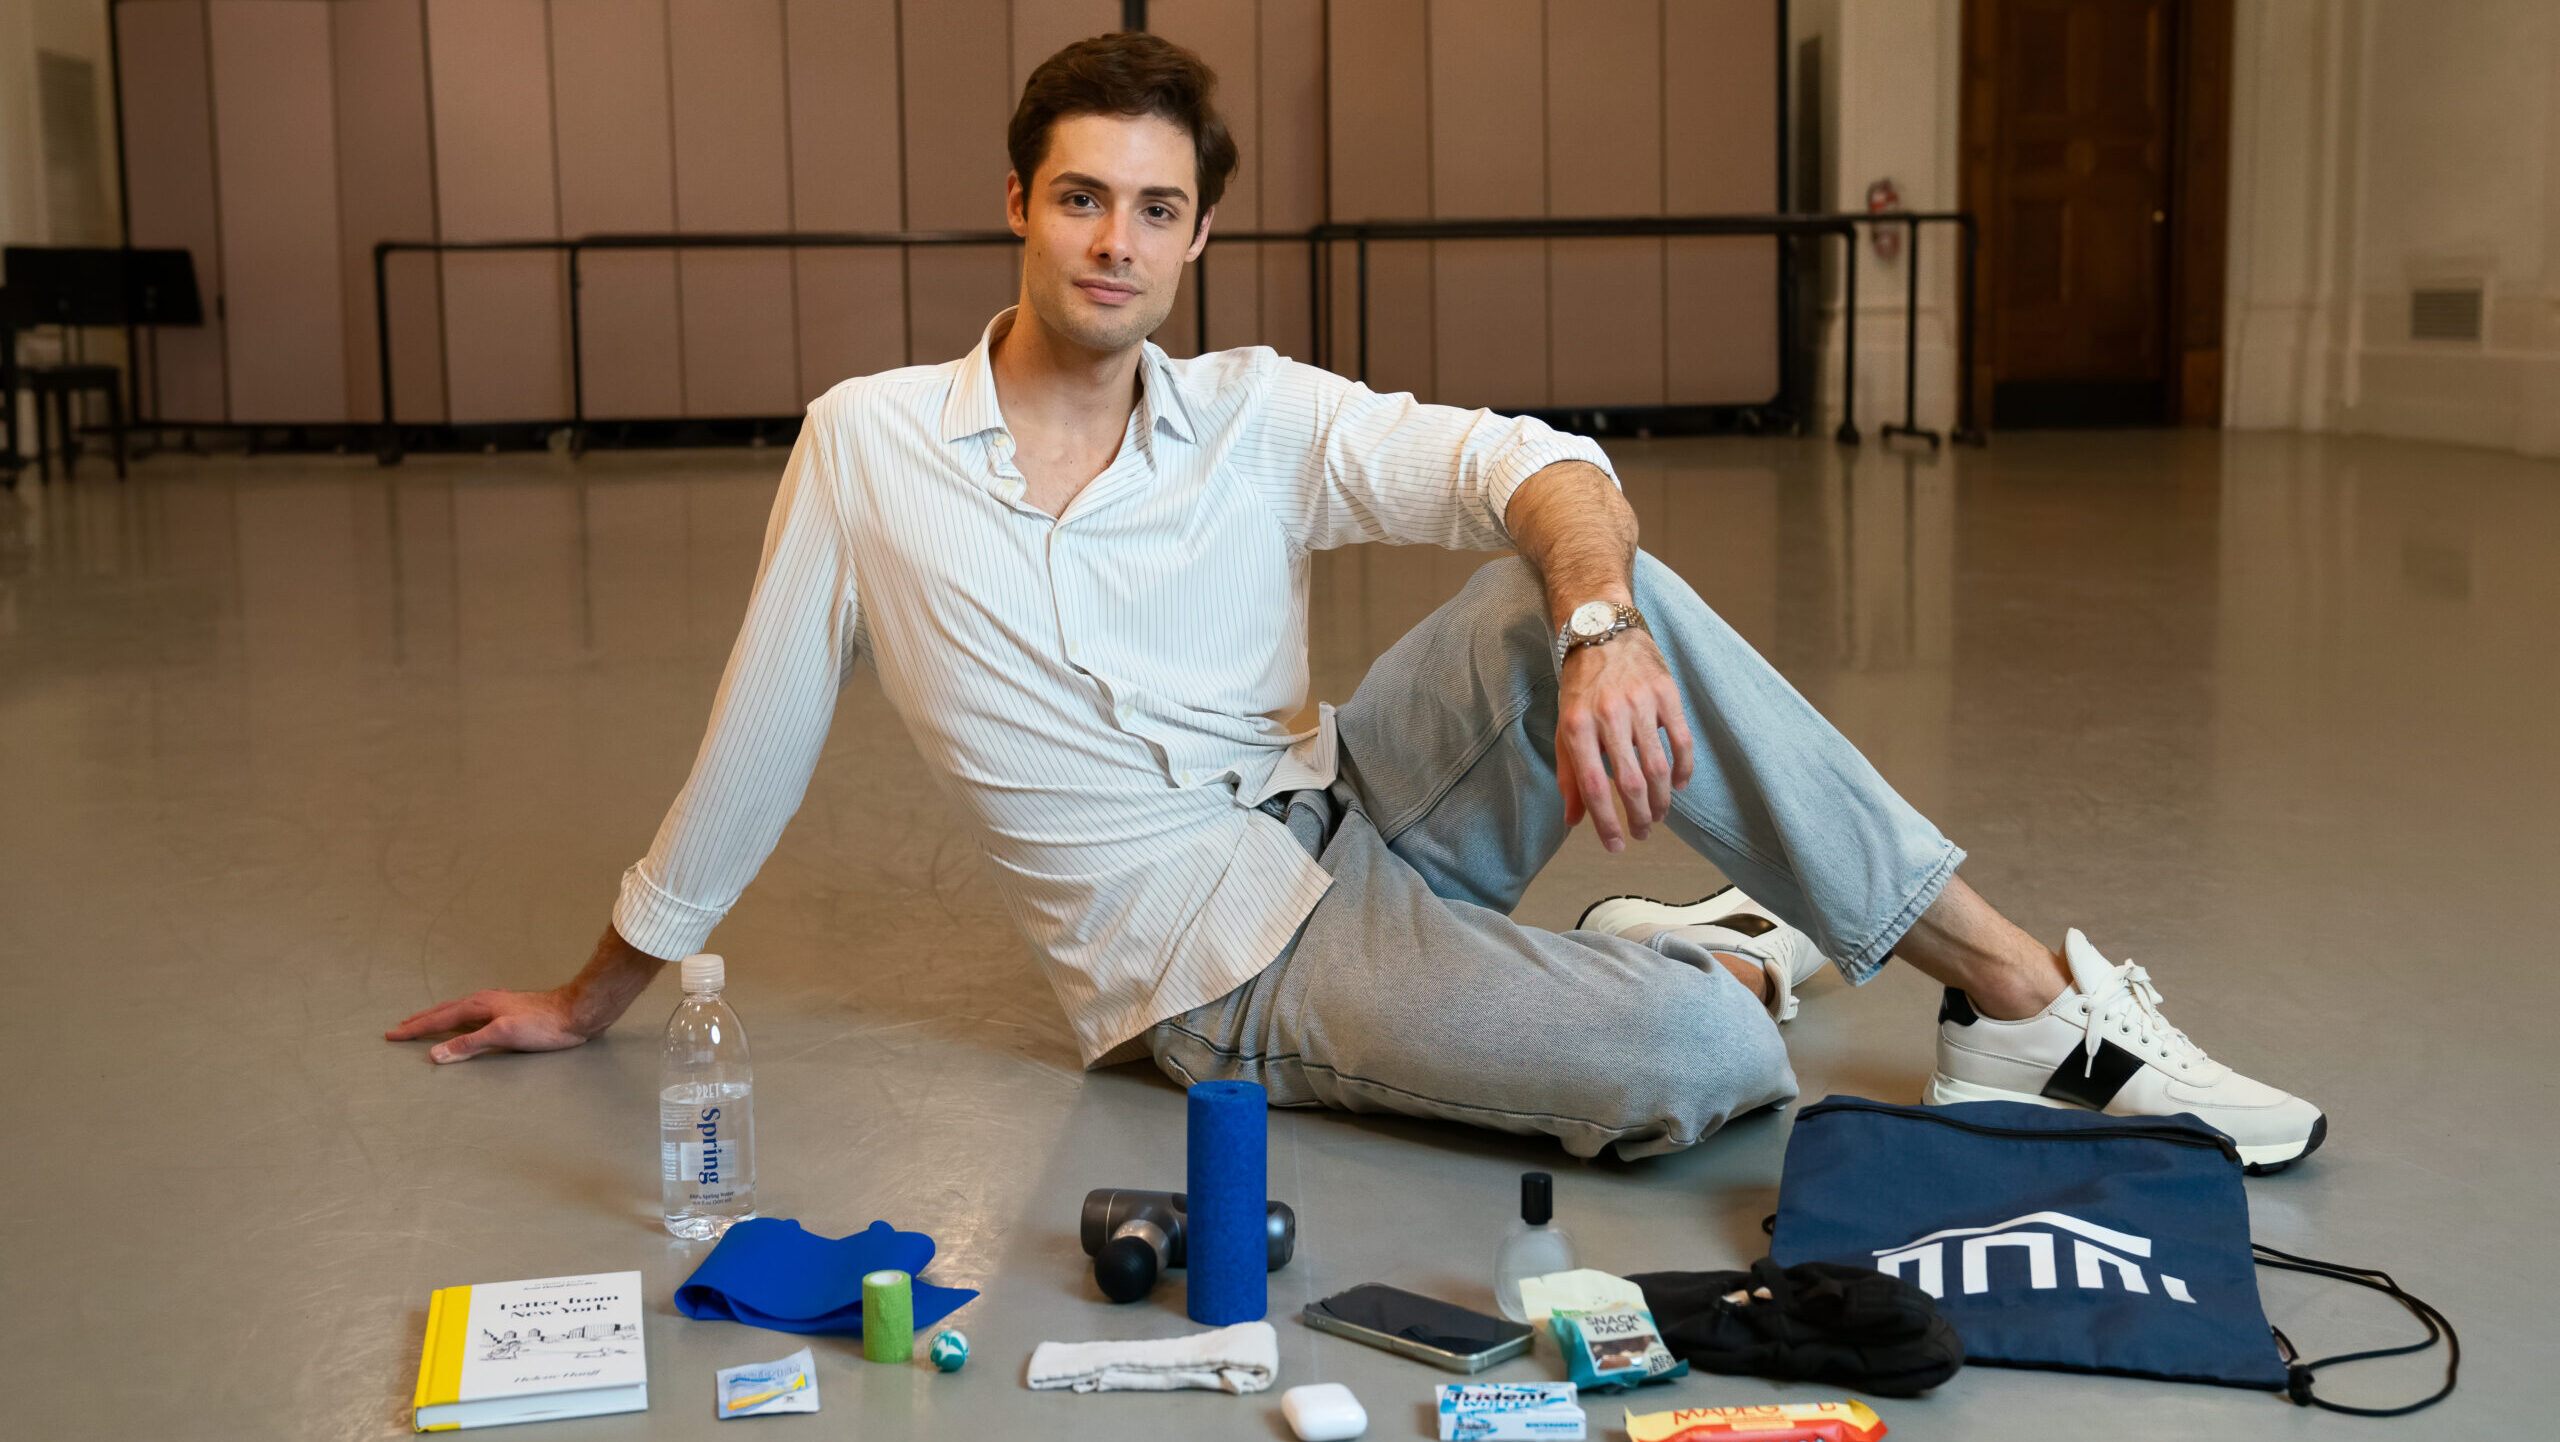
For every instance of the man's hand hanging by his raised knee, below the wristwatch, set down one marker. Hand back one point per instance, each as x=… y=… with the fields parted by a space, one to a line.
x=1614 y=706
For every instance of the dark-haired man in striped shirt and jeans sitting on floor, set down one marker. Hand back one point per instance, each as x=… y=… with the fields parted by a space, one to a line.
x=1079 y=570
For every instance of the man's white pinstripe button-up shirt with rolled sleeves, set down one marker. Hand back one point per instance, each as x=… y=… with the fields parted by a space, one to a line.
x=1107 y=693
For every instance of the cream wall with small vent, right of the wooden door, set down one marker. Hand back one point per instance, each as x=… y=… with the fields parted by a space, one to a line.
x=2382 y=145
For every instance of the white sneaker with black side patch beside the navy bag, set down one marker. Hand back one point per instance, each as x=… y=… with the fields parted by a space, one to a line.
x=2106 y=1046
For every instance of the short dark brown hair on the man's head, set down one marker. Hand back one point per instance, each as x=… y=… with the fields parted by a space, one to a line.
x=1128 y=73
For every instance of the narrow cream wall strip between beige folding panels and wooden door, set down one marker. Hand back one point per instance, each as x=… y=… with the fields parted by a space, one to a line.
x=1893 y=76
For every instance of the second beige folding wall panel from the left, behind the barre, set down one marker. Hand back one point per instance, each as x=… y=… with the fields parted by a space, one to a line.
x=275 y=137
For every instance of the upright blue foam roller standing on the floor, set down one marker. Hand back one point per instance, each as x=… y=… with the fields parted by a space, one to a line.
x=1225 y=1246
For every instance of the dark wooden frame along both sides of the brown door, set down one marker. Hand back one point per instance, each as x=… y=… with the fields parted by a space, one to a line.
x=2198 y=201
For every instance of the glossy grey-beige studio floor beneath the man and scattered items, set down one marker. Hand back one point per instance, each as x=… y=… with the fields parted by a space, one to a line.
x=298 y=747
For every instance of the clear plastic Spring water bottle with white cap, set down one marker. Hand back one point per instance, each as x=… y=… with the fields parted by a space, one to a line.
x=705 y=1110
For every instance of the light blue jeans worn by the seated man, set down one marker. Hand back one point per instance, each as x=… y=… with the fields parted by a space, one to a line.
x=1412 y=990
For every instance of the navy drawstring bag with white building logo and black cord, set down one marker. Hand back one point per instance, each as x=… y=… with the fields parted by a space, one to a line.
x=2057 y=1238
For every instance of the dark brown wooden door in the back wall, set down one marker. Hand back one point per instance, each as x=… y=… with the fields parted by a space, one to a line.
x=2083 y=165
